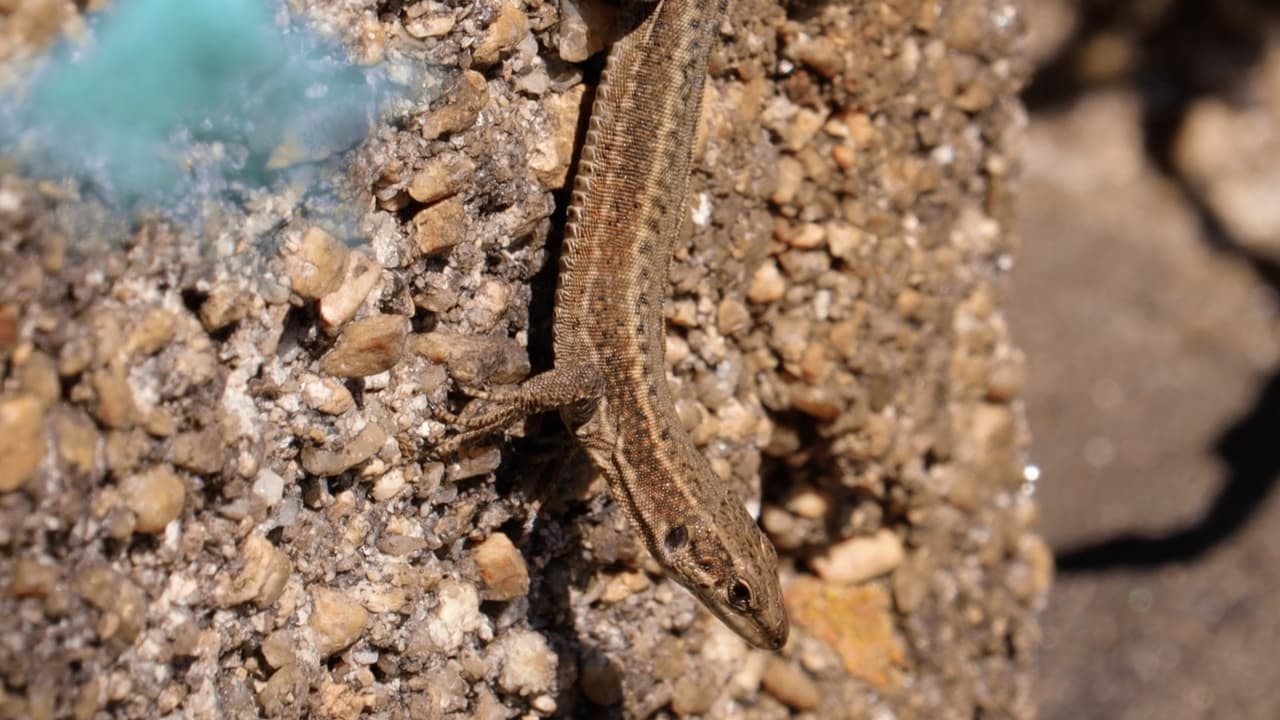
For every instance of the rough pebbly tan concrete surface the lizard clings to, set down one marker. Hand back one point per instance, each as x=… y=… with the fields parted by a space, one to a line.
x=217 y=500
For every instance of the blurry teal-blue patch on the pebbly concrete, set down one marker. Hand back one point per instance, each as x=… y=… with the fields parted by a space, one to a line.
x=180 y=98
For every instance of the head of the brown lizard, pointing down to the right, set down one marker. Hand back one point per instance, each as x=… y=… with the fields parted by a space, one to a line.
x=732 y=567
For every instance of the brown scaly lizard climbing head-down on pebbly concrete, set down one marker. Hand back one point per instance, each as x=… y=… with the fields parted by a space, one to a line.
x=609 y=381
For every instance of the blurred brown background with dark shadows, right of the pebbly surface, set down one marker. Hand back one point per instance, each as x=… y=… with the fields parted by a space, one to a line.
x=1146 y=299
